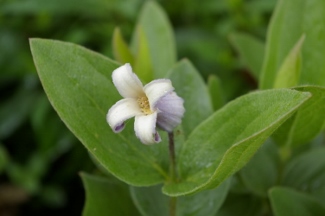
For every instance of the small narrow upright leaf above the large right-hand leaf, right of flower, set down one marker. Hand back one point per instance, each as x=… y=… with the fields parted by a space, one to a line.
x=216 y=92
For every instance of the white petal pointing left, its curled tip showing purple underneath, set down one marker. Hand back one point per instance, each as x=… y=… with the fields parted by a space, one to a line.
x=121 y=111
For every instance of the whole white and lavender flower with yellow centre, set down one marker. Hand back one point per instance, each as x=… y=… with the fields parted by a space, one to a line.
x=153 y=104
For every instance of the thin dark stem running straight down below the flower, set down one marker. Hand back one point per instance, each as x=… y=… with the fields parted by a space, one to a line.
x=173 y=172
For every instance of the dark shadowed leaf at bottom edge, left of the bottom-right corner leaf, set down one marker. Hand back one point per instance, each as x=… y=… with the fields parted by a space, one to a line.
x=241 y=204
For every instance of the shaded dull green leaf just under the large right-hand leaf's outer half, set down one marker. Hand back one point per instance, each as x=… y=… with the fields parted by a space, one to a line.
x=261 y=172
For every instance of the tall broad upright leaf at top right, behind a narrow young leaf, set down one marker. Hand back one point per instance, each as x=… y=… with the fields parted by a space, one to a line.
x=291 y=19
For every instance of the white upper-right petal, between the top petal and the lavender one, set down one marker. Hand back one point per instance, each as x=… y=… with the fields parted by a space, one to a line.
x=157 y=89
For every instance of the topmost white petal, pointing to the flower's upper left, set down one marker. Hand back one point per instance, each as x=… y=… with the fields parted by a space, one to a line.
x=127 y=82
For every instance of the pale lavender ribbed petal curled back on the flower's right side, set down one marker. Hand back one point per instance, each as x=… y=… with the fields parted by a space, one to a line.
x=170 y=111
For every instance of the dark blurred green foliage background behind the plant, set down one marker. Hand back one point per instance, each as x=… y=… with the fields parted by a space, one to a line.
x=39 y=157
